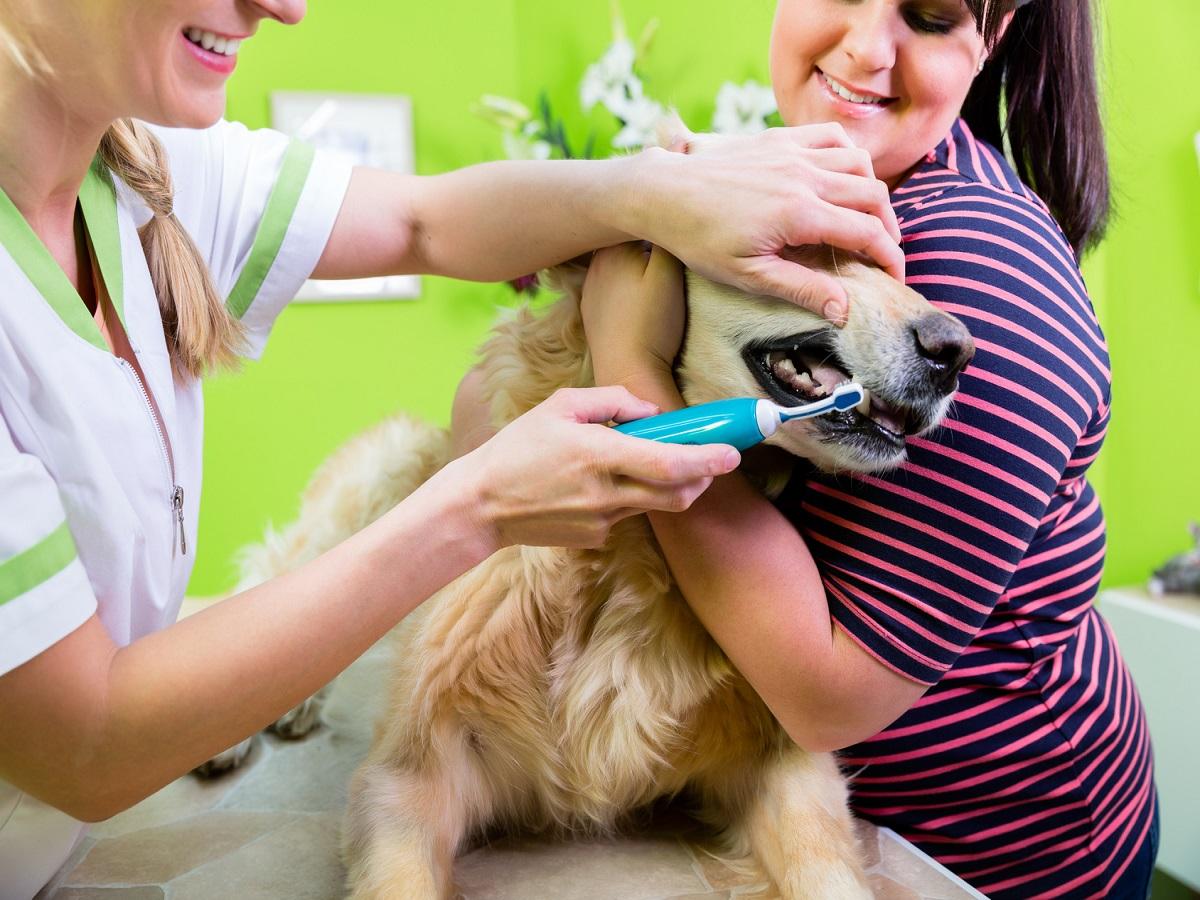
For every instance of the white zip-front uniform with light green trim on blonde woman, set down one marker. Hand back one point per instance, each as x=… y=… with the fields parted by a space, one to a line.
x=91 y=519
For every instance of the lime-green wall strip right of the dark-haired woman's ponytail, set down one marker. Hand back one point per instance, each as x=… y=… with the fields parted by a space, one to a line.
x=1151 y=287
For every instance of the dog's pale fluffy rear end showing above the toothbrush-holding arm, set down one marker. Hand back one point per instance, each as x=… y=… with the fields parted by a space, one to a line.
x=358 y=484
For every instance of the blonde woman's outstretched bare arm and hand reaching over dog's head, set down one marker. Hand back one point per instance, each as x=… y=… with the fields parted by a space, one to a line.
x=728 y=211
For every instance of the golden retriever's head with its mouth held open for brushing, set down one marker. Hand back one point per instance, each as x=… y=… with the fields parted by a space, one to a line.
x=905 y=352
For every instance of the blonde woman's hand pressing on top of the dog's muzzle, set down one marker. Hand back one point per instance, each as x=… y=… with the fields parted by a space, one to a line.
x=729 y=206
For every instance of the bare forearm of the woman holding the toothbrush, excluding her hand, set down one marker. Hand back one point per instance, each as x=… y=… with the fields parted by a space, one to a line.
x=207 y=682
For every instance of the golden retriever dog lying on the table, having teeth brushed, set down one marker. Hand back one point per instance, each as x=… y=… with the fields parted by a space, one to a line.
x=561 y=691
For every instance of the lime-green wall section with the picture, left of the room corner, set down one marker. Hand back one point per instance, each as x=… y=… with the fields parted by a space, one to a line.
x=333 y=370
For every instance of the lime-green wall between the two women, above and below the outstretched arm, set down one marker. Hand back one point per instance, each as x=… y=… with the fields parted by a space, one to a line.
x=333 y=370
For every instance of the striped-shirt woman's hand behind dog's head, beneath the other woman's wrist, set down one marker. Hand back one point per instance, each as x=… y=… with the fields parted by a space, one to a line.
x=634 y=315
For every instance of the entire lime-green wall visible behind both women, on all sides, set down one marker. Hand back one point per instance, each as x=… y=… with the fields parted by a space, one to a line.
x=333 y=370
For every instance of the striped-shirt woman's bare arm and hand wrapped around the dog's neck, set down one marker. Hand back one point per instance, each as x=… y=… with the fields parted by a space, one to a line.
x=743 y=568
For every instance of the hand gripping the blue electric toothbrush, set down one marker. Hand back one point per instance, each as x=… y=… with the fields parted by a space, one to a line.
x=557 y=477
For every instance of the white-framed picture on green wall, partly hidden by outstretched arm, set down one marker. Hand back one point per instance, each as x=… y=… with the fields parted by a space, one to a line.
x=368 y=130
